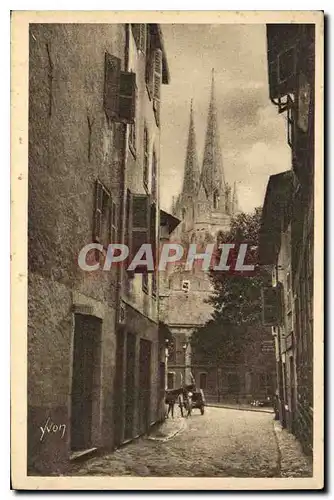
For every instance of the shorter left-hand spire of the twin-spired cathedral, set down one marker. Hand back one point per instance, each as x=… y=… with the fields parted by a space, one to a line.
x=191 y=170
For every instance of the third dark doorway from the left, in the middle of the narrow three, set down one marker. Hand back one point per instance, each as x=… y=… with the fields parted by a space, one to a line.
x=130 y=384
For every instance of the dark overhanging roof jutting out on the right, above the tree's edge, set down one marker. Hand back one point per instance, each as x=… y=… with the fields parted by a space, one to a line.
x=275 y=209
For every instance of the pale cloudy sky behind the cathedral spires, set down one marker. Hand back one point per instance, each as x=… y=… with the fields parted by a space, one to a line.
x=252 y=133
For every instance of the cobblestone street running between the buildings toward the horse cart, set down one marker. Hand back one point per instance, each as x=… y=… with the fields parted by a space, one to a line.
x=221 y=443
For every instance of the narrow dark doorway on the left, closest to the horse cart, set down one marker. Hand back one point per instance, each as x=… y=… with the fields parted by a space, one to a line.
x=144 y=385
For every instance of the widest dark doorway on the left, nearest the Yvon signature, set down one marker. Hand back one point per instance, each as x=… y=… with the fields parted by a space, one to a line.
x=86 y=379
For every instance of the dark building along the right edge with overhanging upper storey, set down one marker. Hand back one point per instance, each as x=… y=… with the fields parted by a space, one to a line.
x=291 y=70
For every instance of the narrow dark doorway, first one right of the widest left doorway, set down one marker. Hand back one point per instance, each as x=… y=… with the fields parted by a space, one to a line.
x=119 y=388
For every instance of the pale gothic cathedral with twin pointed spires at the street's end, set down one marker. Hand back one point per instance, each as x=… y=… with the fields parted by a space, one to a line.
x=205 y=207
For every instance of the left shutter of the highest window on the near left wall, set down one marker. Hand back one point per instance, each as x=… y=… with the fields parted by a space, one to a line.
x=111 y=86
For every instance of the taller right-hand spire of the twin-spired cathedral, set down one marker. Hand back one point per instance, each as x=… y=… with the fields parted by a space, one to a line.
x=212 y=170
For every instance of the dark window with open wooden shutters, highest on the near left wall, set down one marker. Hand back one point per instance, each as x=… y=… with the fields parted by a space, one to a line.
x=119 y=91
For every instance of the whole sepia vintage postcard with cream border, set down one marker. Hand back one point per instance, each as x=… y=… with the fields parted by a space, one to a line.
x=167 y=195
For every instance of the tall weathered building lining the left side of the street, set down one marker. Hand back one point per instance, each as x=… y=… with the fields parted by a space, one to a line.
x=95 y=358
